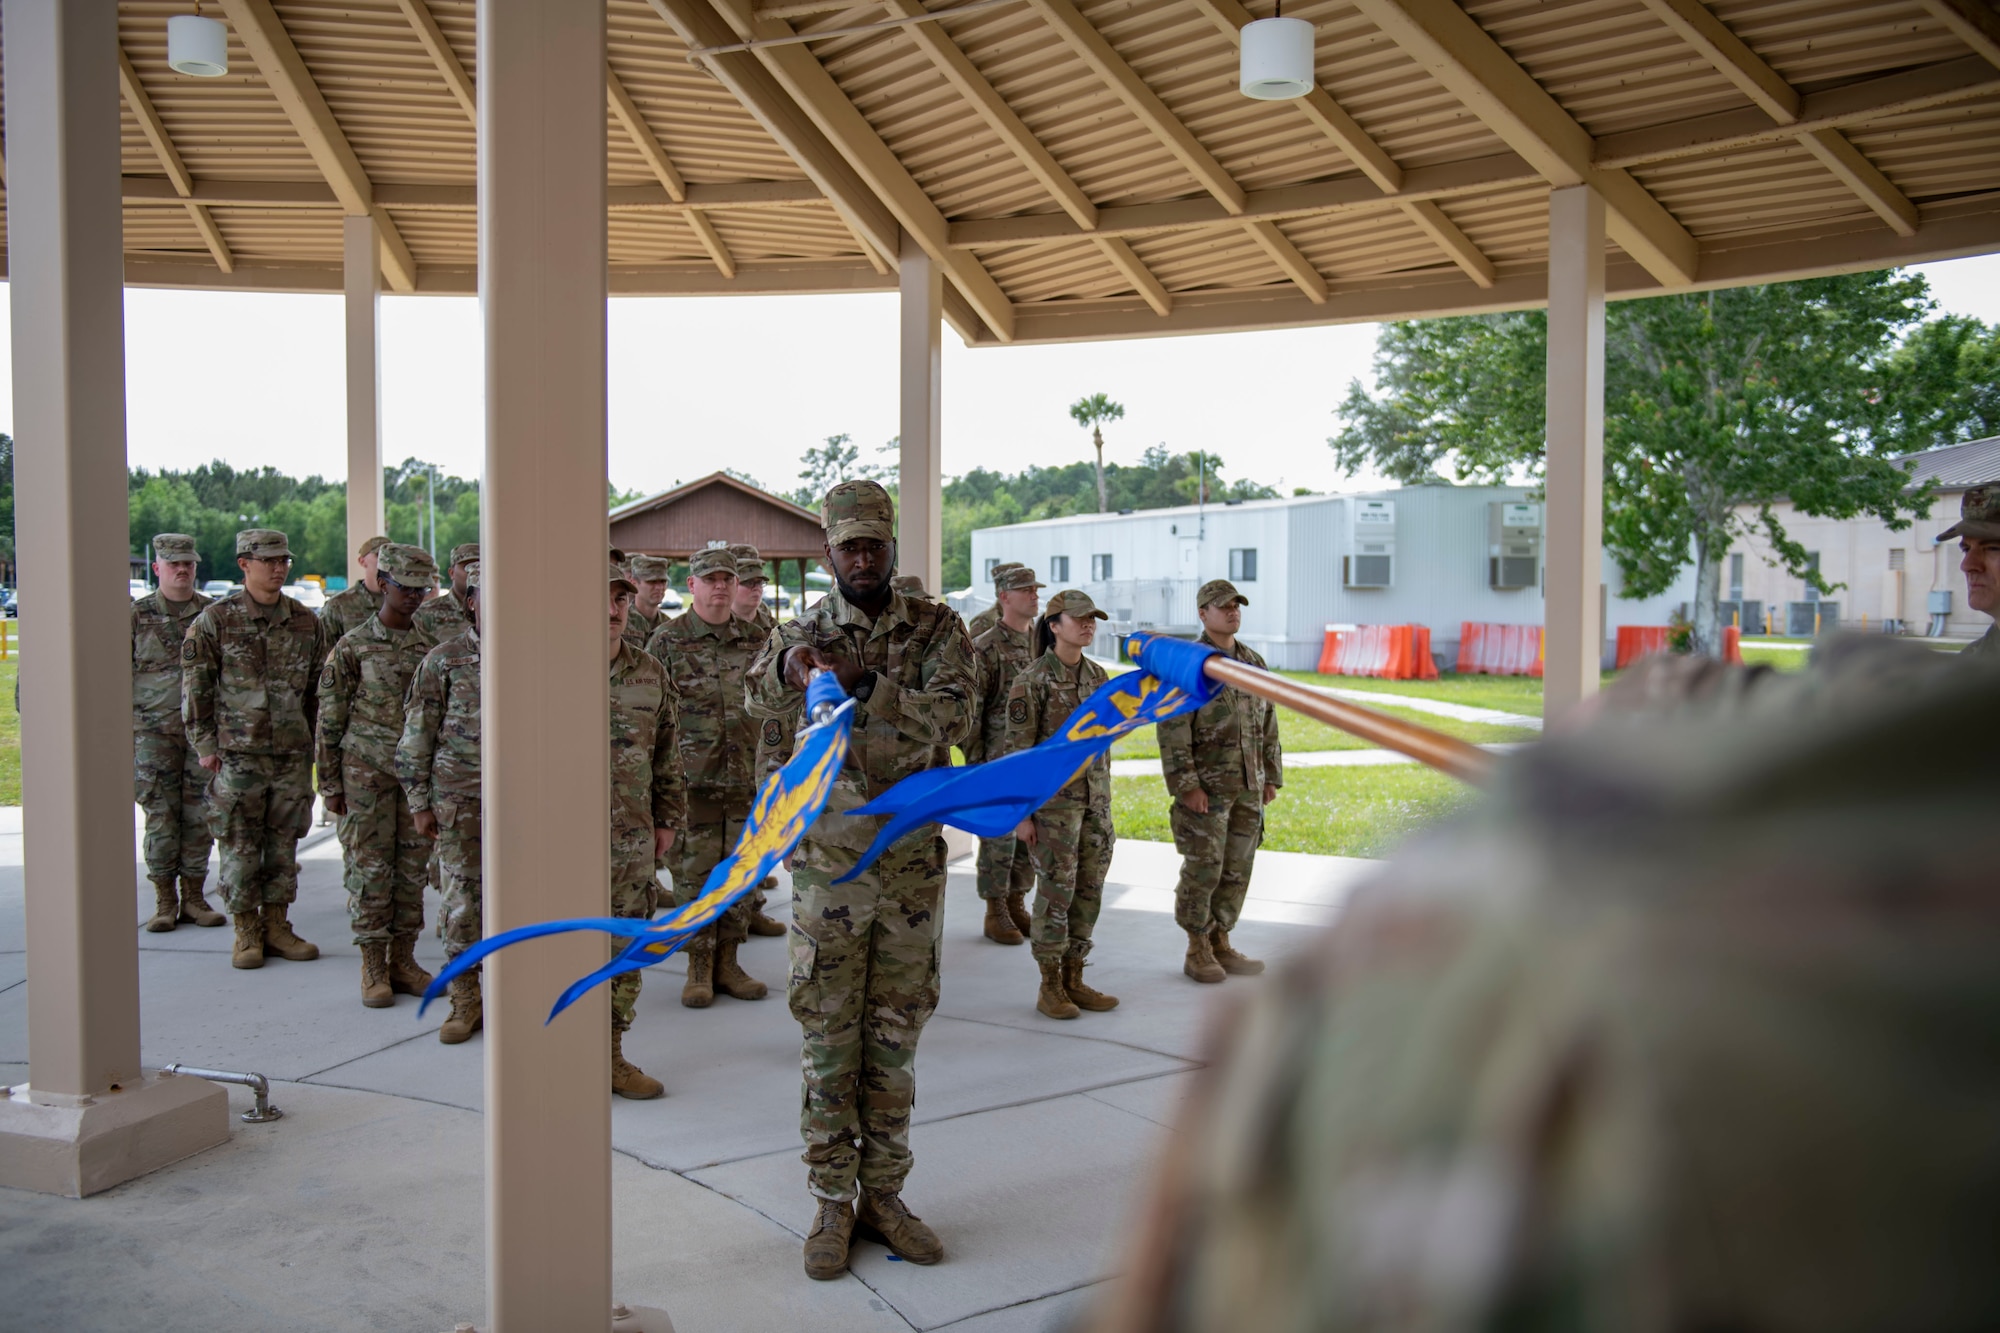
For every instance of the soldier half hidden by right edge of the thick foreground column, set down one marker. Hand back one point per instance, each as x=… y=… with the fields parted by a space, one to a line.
x=649 y=804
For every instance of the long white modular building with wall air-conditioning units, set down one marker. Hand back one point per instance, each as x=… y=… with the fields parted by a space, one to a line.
x=1417 y=555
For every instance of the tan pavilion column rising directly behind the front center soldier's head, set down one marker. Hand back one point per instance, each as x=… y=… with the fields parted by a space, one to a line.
x=921 y=359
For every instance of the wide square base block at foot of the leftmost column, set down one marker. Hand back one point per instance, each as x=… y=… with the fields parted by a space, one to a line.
x=81 y=1146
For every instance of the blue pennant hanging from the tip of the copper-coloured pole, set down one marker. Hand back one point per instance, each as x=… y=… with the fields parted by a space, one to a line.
x=991 y=800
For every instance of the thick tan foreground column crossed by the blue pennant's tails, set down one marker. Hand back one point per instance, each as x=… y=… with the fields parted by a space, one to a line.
x=545 y=676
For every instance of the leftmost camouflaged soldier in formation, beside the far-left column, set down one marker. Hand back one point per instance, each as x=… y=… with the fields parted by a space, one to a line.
x=167 y=774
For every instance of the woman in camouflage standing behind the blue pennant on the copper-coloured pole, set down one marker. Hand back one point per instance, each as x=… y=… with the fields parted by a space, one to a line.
x=1073 y=832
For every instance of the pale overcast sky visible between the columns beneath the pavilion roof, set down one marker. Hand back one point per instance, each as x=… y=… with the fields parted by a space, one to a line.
x=751 y=383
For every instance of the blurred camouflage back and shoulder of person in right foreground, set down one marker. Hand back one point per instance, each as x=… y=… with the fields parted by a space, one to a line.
x=1693 y=1026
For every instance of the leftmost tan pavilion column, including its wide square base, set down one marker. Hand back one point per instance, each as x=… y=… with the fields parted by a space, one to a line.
x=89 y=1116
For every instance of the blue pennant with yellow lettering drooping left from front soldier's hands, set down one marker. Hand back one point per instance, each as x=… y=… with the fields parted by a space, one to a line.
x=783 y=812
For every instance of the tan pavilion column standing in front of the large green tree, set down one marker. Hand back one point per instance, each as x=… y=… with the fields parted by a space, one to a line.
x=1573 y=595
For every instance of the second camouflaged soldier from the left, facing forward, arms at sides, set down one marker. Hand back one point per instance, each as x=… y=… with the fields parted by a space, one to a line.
x=249 y=698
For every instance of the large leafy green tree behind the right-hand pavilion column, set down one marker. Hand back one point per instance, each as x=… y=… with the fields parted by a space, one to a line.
x=1717 y=405
